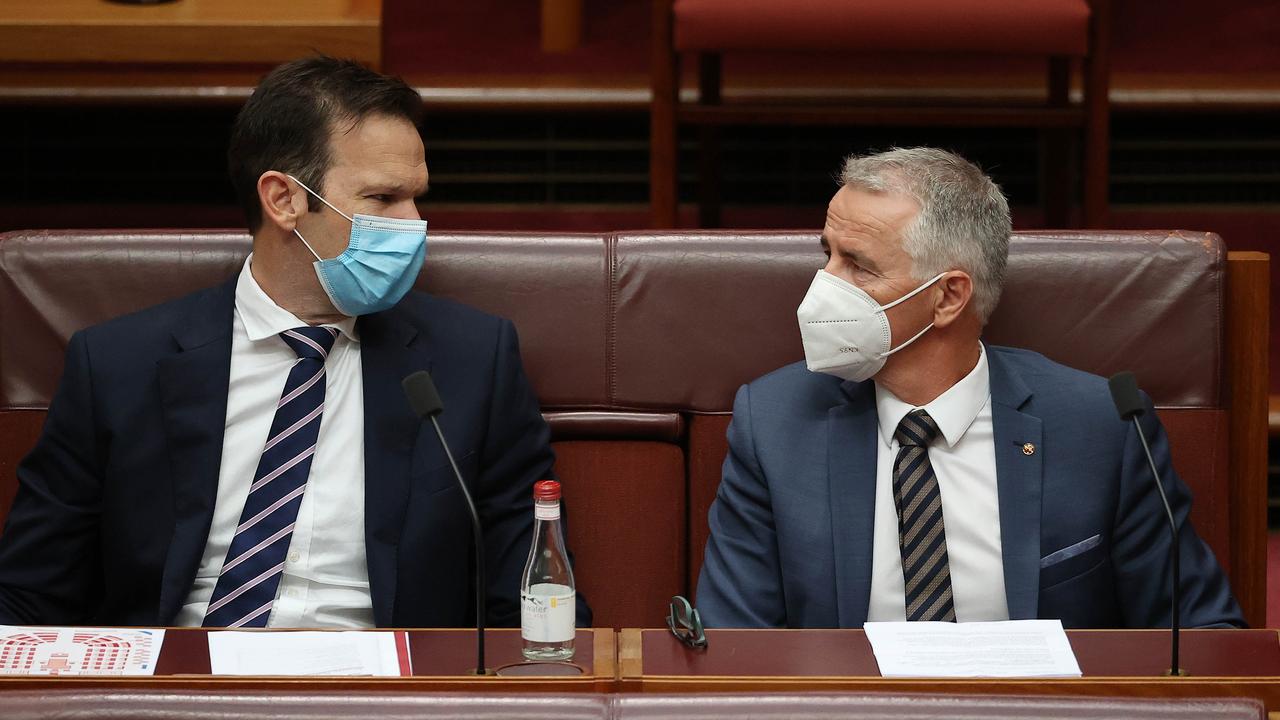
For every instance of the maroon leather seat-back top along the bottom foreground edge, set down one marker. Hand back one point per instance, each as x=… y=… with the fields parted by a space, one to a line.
x=330 y=705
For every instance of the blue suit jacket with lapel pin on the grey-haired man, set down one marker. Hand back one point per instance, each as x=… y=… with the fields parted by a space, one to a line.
x=1084 y=534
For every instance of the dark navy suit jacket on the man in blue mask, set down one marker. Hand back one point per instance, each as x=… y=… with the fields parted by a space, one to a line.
x=116 y=502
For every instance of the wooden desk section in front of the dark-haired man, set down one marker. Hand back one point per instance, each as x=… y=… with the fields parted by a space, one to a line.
x=441 y=662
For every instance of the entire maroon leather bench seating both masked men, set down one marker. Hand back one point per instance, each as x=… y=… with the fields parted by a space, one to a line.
x=637 y=343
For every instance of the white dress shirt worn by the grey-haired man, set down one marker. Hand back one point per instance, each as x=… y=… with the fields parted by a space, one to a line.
x=964 y=462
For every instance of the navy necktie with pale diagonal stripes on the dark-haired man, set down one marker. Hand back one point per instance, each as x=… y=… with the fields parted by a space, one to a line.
x=255 y=562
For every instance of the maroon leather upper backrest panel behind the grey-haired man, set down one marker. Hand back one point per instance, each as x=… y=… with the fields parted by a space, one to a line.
x=700 y=315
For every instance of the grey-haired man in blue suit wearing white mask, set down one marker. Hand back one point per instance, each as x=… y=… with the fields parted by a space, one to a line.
x=909 y=472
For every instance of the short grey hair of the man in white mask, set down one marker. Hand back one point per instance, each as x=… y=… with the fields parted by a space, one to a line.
x=963 y=224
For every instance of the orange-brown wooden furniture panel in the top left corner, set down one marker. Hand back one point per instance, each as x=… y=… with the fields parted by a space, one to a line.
x=189 y=31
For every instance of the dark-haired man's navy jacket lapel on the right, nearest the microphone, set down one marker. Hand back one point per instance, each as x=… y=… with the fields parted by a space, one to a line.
x=390 y=349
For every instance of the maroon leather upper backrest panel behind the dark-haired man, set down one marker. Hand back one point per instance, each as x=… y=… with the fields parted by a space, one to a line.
x=53 y=284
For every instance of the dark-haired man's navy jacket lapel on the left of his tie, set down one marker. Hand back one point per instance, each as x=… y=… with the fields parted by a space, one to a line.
x=193 y=385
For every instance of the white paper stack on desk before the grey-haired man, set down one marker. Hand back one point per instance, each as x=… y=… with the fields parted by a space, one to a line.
x=1014 y=649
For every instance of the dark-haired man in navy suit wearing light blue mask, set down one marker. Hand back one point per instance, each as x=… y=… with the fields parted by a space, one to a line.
x=245 y=457
